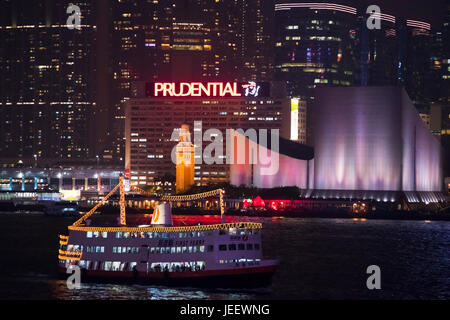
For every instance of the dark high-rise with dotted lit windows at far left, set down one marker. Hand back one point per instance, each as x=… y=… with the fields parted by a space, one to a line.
x=47 y=94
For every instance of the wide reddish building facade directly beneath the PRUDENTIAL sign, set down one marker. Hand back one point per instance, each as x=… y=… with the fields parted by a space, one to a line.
x=152 y=125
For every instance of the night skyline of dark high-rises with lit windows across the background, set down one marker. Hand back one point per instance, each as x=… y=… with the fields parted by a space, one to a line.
x=118 y=48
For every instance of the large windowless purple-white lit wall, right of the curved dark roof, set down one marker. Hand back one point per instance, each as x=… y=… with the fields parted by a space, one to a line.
x=371 y=138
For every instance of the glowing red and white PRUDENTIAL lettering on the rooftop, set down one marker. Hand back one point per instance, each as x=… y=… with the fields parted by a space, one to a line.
x=195 y=89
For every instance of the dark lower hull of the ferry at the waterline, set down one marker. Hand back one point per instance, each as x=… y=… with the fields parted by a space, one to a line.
x=253 y=277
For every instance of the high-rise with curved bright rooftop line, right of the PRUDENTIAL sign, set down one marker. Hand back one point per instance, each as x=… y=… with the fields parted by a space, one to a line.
x=315 y=46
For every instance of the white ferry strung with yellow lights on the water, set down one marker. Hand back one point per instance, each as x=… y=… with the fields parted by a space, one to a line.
x=220 y=255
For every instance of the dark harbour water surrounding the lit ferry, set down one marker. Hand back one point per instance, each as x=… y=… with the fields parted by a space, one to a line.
x=320 y=259
